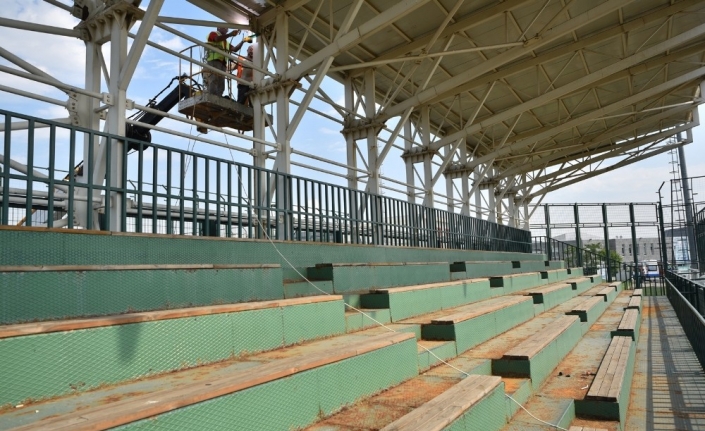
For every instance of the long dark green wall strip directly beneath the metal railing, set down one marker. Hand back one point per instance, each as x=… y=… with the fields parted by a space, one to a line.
x=55 y=248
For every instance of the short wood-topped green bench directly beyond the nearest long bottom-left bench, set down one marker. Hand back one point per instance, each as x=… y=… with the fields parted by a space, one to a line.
x=472 y=324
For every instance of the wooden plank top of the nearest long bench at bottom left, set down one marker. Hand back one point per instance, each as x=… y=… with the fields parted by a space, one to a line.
x=147 y=405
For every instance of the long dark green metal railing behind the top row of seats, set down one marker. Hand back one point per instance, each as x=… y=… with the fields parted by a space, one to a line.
x=173 y=191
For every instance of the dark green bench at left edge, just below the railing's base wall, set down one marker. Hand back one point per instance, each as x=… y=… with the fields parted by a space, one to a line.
x=36 y=293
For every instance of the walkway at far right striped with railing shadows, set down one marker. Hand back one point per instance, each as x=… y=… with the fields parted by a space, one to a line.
x=668 y=389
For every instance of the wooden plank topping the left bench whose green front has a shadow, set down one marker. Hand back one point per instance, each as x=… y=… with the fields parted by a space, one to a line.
x=149 y=316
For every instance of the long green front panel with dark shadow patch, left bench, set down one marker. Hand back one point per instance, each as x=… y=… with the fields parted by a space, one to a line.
x=40 y=366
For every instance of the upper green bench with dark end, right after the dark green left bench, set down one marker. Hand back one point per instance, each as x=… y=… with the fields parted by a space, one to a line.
x=357 y=277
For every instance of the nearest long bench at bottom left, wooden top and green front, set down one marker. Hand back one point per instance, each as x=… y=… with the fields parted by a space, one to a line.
x=302 y=381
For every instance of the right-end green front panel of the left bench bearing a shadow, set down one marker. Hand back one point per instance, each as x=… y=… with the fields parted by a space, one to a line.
x=309 y=321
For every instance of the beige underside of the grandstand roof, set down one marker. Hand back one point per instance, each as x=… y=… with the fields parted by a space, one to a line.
x=556 y=80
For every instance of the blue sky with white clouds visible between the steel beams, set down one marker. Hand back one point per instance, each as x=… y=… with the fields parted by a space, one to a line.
x=63 y=57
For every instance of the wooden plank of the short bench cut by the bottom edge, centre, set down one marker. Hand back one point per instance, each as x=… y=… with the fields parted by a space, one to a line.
x=441 y=411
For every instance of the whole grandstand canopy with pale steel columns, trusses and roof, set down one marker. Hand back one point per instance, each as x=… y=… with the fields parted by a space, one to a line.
x=505 y=101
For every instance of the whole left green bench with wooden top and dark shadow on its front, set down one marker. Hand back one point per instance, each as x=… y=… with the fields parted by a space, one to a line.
x=49 y=359
